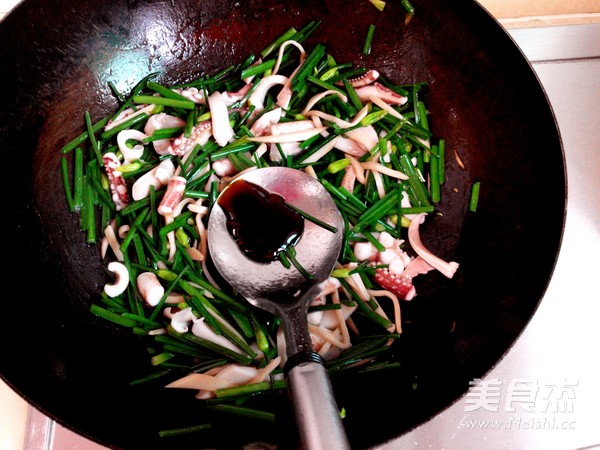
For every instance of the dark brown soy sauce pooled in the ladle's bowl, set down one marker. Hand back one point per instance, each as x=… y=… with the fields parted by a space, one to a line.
x=260 y=222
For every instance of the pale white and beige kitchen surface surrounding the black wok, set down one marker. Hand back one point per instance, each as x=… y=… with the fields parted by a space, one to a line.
x=567 y=60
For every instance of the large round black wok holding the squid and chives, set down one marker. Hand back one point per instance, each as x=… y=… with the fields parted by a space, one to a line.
x=57 y=59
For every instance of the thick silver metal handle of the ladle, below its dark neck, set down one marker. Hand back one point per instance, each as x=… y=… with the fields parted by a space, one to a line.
x=318 y=418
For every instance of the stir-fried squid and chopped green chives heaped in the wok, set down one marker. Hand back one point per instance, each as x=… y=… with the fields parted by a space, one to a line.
x=150 y=173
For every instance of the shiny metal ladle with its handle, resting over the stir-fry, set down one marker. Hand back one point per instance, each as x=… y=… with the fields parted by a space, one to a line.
x=286 y=293
